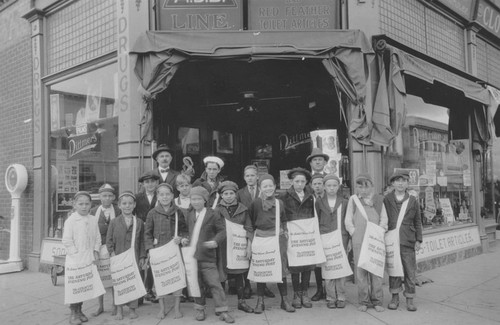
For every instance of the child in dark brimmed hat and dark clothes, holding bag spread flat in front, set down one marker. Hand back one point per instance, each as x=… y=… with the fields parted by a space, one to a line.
x=299 y=204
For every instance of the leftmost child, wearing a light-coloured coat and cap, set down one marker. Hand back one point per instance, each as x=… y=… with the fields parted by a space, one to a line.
x=82 y=241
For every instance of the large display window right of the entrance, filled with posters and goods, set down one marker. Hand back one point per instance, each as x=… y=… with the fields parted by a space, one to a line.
x=439 y=163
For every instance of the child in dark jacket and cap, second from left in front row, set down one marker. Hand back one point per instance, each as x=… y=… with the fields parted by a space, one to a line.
x=119 y=240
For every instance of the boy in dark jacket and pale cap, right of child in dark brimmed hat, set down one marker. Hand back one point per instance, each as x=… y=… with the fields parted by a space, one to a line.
x=327 y=209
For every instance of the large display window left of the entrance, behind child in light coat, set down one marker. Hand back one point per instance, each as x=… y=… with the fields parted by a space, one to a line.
x=83 y=140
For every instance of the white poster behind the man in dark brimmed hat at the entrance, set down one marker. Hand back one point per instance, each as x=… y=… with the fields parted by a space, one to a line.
x=327 y=141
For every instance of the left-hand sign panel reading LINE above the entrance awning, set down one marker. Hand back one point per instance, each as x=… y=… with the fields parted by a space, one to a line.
x=188 y=15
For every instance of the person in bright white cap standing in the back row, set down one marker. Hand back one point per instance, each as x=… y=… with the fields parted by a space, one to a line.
x=211 y=178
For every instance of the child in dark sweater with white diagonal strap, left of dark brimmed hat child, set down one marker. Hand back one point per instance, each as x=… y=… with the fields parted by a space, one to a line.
x=263 y=215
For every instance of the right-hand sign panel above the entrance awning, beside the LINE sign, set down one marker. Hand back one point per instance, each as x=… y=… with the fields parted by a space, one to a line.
x=293 y=15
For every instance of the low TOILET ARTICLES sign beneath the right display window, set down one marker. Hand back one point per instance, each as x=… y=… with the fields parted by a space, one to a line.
x=447 y=242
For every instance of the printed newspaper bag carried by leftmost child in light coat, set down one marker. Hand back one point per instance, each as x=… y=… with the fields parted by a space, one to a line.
x=81 y=283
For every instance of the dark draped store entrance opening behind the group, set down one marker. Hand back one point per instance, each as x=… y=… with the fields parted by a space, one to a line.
x=248 y=113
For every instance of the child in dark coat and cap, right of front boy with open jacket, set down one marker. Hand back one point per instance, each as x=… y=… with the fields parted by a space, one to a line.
x=234 y=212
